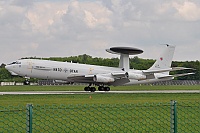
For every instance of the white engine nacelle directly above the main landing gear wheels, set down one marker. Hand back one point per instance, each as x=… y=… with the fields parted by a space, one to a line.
x=103 y=79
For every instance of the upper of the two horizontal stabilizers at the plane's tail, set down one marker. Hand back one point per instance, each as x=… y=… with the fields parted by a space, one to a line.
x=165 y=70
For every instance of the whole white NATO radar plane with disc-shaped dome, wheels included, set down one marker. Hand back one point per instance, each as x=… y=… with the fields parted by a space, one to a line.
x=99 y=75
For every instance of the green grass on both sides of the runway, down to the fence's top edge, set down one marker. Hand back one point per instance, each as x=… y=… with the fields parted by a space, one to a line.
x=94 y=98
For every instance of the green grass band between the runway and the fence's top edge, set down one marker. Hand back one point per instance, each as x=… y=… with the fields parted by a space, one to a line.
x=6 y=100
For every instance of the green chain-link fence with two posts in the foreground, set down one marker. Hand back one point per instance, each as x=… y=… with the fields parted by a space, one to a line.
x=155 y=117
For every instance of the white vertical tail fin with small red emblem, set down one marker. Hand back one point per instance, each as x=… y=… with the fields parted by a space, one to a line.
x=165 y=59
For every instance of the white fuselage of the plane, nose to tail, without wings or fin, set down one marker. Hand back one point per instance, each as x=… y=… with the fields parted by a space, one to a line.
x=45 y=69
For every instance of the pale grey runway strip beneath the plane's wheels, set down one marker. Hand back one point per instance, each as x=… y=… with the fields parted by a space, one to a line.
x=97 y=92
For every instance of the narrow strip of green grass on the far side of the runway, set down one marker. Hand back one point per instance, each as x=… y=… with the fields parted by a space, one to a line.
x=80 y=88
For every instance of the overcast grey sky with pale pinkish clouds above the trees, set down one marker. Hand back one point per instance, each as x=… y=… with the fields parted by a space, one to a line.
x=47 y=28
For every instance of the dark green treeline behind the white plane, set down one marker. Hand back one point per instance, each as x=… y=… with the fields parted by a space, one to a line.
x=135 y=62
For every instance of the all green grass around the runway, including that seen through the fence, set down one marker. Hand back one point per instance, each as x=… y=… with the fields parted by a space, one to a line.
x=99 y=112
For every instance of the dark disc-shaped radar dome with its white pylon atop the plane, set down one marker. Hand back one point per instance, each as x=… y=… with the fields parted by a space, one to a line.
x=124 y=53
